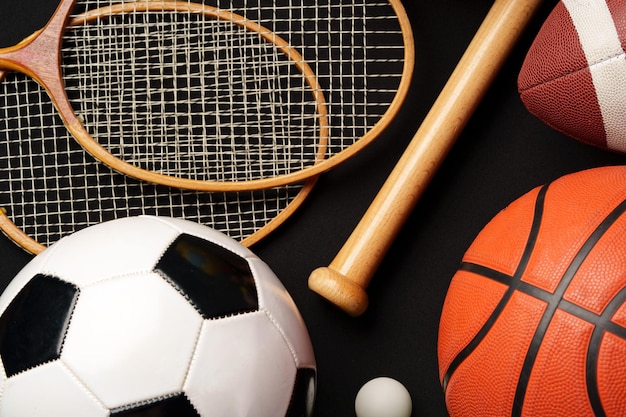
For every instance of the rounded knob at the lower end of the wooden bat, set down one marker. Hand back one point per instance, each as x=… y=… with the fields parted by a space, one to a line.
x=339 y=290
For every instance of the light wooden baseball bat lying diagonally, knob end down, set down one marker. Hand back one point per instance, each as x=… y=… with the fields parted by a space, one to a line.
x=345 y=280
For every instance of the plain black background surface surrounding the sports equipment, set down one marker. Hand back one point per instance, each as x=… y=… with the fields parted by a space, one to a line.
x=503 y=153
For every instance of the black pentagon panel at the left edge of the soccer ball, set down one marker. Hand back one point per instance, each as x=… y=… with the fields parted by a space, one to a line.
x=33 y=326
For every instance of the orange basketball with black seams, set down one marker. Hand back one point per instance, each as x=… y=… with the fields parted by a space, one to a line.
x=534 y=321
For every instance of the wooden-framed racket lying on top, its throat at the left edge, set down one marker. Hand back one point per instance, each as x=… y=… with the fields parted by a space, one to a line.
x=232 y=96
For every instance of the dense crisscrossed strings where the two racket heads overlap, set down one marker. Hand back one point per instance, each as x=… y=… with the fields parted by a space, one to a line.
x=205 y=111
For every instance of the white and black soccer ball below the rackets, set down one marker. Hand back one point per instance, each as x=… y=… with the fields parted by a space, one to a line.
x=152 y=316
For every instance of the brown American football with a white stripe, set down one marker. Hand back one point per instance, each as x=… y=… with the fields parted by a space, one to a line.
x=573 y=77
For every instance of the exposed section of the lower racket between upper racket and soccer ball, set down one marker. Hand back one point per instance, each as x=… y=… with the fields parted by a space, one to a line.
x=50 y=187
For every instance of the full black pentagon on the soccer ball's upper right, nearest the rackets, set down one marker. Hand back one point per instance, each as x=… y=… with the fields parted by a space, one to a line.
x=216 y=281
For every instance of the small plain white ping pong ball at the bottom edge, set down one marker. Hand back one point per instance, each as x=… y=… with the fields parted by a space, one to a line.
x=383 y=397
